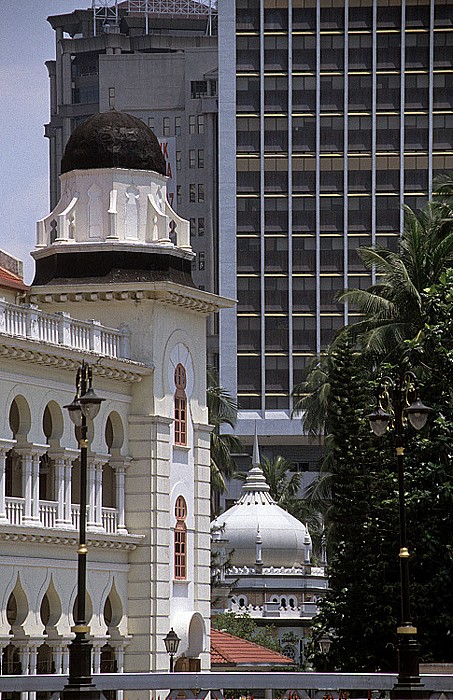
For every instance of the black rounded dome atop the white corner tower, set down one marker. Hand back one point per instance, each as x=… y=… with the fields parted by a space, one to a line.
x=113 y=140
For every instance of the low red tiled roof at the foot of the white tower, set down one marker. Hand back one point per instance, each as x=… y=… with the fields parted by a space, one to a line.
x=228 y=650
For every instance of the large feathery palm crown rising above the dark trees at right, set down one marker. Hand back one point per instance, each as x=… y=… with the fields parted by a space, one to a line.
x=393 y=308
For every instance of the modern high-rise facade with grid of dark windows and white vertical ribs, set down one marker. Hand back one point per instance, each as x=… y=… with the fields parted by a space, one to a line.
x=333 y=114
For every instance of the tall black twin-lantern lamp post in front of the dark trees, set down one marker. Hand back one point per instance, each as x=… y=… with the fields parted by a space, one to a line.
x=397 y=402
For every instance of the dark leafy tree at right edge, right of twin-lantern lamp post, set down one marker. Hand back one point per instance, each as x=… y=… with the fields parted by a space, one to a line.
x=430 y=478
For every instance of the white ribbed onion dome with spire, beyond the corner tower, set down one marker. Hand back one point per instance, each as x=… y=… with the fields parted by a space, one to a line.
x=256 y=523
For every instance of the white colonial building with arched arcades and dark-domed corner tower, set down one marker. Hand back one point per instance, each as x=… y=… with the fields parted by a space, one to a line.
x=112 y=287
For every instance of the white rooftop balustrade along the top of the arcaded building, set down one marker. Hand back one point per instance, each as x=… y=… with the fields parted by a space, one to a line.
x=61 y=329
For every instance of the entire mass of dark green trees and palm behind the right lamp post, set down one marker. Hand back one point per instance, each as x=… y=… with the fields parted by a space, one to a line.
x=408 y=321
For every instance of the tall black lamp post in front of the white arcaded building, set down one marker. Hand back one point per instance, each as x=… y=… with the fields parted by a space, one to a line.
x=85 y=406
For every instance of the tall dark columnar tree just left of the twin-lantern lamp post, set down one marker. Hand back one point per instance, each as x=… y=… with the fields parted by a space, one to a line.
x=360 y=521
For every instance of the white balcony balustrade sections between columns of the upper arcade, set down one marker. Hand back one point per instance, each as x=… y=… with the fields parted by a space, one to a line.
x=15 y=510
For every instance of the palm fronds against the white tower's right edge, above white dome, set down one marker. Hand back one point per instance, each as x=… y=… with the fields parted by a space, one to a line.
x=222 y=410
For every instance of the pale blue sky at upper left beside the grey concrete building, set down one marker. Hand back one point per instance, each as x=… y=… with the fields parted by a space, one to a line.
x=26 y=41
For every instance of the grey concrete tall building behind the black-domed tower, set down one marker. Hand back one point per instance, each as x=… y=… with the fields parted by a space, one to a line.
x=159 y=66
